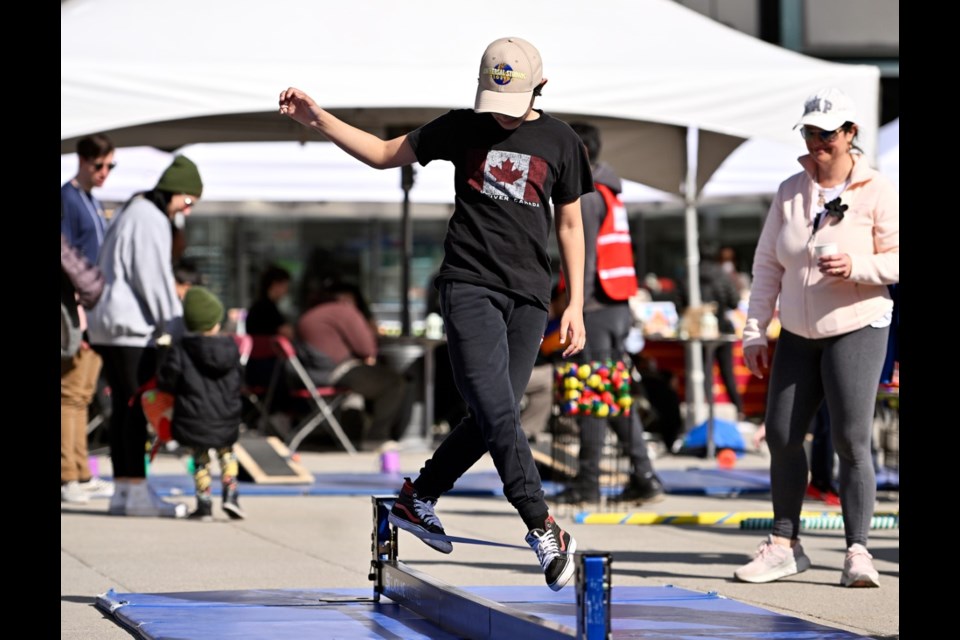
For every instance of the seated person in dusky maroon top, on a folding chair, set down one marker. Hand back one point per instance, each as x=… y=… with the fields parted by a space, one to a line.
x=338 y=346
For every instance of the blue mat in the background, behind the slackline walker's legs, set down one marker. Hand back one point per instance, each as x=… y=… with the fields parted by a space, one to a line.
x=727 y=482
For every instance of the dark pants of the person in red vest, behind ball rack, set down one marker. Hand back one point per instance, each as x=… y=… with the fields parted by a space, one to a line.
x=607 y=329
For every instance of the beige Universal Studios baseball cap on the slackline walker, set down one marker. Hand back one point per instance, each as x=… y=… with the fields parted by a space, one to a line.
x=510 y=70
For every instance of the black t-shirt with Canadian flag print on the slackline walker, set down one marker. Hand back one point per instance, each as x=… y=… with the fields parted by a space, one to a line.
x=504 y=180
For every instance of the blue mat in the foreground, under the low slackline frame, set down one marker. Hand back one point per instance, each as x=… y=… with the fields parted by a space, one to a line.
x=637 y=612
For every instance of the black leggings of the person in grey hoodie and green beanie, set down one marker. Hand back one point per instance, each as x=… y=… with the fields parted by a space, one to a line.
x=127 y=369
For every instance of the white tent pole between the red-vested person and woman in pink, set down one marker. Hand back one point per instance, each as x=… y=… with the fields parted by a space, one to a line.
x=695 y=375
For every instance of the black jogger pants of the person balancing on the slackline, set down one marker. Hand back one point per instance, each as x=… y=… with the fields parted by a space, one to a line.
x=493 y=340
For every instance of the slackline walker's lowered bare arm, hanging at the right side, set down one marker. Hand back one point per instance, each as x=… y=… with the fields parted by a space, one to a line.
x=570 y=238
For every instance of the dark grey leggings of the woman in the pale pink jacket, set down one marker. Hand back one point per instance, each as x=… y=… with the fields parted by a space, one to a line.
x=845 y=370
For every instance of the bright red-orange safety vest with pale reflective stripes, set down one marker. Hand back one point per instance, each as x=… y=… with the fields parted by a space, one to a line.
x=615 y=265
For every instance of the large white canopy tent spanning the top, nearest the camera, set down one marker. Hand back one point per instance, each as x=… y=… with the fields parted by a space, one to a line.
x=673 y=91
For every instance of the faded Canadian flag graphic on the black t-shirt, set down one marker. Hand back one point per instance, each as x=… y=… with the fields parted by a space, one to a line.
x=517 y=176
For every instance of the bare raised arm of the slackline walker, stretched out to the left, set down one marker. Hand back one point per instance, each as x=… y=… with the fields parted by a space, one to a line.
x=365 y=147
